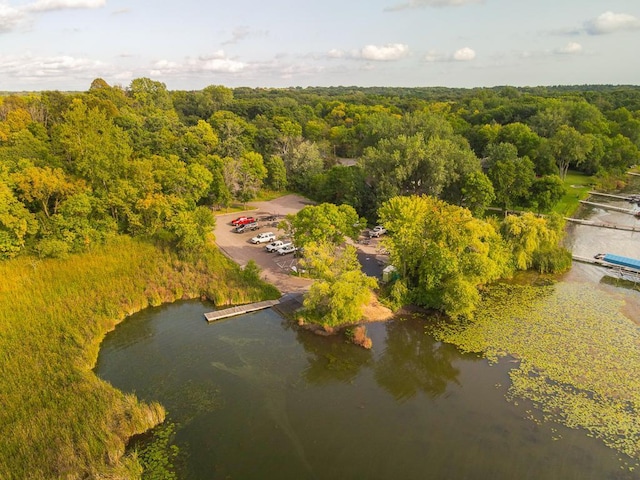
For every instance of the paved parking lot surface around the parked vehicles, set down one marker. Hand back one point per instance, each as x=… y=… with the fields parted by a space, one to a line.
x=277 y=269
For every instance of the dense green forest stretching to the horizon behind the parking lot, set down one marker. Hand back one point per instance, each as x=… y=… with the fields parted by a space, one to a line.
x=76 y=168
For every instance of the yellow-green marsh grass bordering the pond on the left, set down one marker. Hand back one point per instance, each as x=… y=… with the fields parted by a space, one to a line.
x=57 y=419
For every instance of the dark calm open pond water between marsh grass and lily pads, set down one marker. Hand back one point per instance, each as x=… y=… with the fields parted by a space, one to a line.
x=254 y=398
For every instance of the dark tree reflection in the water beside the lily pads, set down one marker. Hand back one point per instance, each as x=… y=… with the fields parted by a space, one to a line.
x=414 y=362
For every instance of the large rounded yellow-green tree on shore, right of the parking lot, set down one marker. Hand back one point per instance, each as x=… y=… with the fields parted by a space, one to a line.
x=443 y=254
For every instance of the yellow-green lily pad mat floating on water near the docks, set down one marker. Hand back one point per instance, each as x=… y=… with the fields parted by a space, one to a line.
x=579 y=356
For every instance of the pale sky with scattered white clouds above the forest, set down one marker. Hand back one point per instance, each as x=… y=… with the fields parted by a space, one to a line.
x=190 y=44
